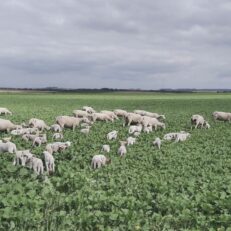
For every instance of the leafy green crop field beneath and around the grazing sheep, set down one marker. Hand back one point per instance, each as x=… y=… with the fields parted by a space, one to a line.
x=182 y=186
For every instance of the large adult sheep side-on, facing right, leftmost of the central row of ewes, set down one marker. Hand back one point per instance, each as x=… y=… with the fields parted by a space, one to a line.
x=70 y=121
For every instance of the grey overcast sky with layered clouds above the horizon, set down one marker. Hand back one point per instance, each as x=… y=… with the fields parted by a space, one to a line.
x=147 y=44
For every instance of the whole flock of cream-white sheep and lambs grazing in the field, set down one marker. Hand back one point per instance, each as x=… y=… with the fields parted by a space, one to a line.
x=138 y=121
